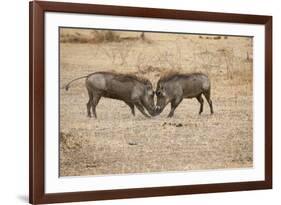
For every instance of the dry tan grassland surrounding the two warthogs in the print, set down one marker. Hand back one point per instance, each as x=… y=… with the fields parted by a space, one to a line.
x=118 y=143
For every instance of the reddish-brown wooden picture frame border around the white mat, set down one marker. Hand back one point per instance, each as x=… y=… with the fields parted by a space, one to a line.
x=37 y=193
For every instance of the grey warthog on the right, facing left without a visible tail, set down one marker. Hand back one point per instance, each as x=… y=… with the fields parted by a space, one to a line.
x=173 y=87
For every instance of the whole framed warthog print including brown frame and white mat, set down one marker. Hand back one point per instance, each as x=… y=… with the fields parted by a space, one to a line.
x=139 y=102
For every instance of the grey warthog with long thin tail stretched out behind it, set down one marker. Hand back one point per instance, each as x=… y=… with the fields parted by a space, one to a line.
x=134 y=91
